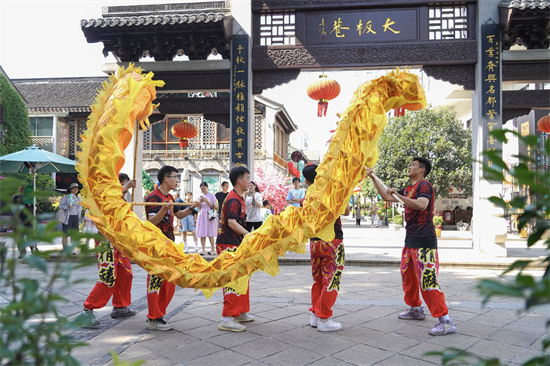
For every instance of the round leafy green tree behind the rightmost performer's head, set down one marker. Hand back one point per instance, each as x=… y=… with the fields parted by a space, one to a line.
x=432 y=133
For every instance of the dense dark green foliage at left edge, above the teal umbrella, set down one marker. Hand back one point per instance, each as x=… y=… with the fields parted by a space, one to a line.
x=15 y=119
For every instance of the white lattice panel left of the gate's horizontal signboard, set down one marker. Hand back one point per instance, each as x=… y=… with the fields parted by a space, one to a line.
x=277 y=28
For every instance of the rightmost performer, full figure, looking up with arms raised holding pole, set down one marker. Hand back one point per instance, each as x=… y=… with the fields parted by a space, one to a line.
x=419 y=260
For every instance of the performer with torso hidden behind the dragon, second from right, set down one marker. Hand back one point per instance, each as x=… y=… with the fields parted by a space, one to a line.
x=327 y=265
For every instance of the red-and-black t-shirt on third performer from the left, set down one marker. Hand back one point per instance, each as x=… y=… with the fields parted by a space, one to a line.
x=233 y=208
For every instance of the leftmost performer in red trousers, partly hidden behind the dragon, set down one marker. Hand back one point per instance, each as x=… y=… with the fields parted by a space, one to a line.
x=115 y=276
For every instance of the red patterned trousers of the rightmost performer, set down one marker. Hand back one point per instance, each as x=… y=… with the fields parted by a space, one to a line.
x=419 y=269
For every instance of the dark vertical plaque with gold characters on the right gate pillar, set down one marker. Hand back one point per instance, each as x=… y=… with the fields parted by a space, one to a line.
x=491 y=103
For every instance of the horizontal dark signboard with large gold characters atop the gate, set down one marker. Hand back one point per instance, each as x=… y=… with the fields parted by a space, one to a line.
x=362 y=26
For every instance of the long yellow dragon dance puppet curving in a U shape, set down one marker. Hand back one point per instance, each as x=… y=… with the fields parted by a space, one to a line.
x=127 y=97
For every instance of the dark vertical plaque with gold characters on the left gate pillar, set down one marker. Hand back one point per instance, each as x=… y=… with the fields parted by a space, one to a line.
x=240 y=103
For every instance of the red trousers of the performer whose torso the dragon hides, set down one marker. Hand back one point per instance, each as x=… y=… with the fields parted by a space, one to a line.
x=327 y=265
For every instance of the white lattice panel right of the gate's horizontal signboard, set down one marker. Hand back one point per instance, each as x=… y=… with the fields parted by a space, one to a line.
x=448 y=22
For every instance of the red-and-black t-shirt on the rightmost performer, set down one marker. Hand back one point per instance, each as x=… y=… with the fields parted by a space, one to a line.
x=420 y=228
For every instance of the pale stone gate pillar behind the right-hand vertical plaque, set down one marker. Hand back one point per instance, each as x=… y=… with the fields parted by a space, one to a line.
x=488 y=225
